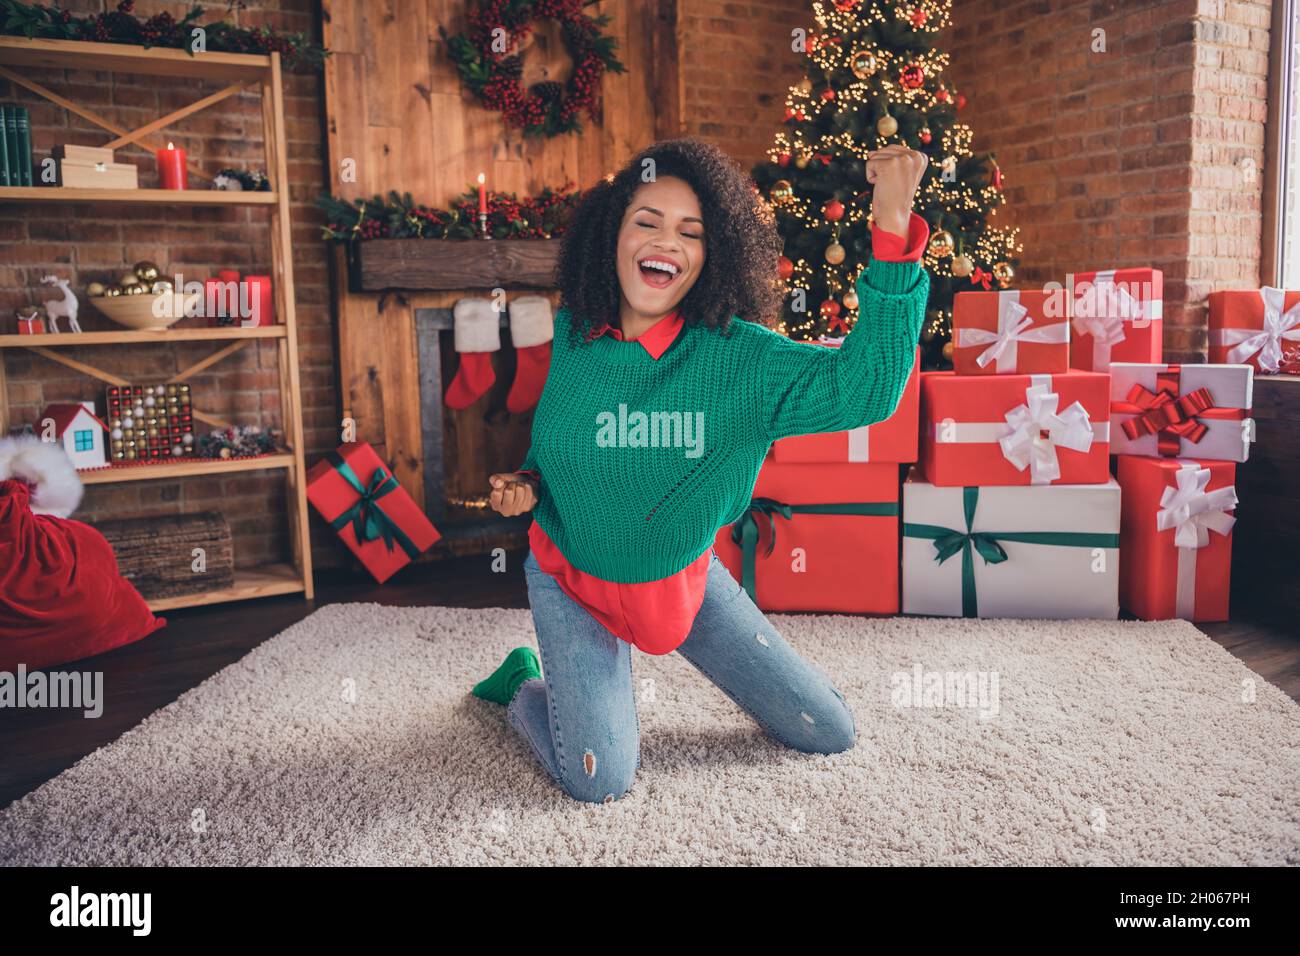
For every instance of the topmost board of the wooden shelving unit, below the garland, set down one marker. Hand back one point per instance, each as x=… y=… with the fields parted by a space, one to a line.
x=157 y=62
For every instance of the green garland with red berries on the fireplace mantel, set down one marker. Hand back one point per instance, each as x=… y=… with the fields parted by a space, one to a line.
x=398 y=217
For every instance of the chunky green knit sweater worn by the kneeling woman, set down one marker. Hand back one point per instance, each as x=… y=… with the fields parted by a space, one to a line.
x=644 y=460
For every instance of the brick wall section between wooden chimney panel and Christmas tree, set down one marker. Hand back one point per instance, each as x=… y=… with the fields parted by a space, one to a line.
x=738 y=66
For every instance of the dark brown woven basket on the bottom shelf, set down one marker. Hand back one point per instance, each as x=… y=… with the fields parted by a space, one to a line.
x=157 y=555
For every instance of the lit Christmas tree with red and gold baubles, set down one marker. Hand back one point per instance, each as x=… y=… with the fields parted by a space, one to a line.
x=874 y=79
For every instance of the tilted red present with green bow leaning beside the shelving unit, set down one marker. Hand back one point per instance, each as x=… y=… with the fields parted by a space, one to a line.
x=357 y=494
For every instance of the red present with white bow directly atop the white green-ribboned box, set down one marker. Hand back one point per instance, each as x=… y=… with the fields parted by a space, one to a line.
x=1015 y=430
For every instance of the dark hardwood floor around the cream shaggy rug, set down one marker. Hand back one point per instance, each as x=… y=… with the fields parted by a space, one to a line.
x=37 y=746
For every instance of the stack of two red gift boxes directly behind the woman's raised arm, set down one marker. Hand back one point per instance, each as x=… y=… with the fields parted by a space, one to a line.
x=821 y=533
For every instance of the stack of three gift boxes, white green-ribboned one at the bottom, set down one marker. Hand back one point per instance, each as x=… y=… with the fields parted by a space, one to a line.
x=1012 y=512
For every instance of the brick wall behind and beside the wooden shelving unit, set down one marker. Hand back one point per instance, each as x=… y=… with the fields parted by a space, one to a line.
x=90 y=244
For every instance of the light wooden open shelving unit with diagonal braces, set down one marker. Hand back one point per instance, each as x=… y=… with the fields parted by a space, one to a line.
x=242 y=72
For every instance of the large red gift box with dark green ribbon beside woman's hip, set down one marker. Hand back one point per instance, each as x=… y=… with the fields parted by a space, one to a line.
x=818 y=538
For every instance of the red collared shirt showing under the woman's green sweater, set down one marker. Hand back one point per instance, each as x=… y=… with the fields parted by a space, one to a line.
x=657 y=616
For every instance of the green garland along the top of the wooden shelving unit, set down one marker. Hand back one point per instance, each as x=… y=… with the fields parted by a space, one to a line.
x=37 y=21
